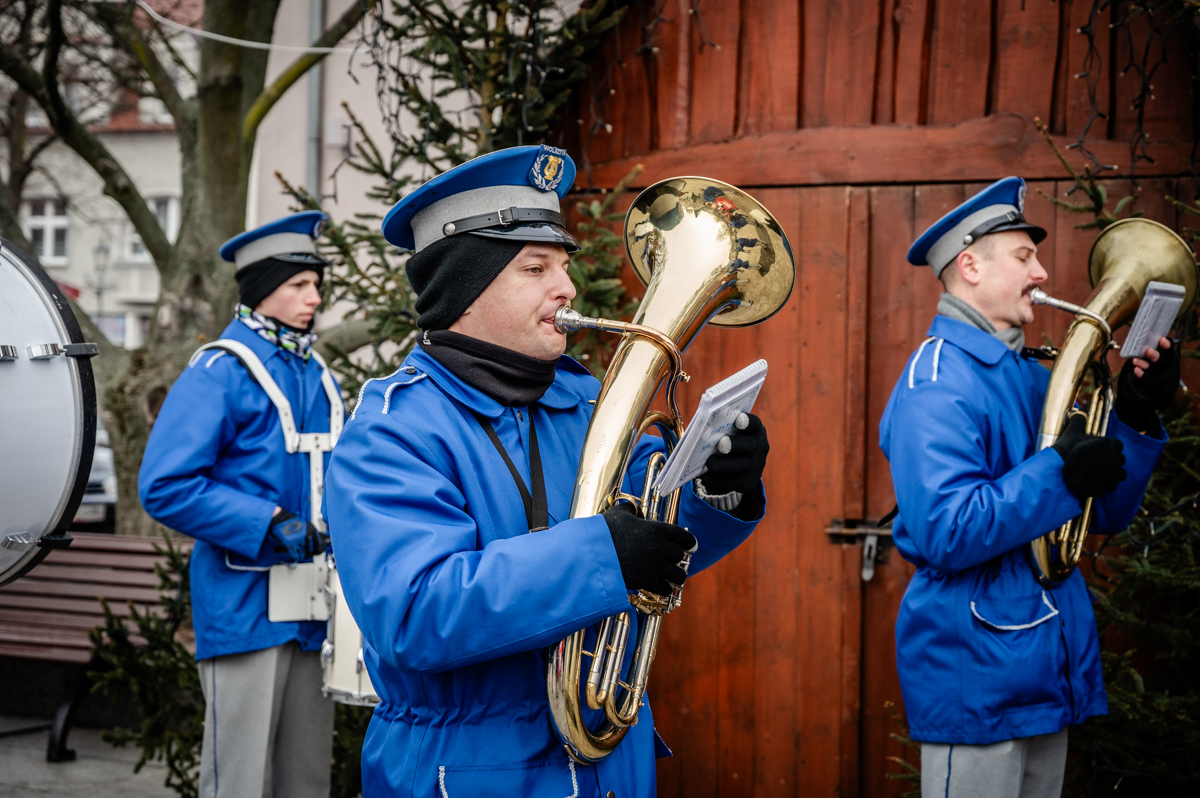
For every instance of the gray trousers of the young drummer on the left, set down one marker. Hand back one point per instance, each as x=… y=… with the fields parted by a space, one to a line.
x=268 y=730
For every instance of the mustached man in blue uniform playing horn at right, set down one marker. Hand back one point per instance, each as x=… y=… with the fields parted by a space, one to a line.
x=993 y=667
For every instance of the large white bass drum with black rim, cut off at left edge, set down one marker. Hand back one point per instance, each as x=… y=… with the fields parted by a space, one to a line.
x=47 y=415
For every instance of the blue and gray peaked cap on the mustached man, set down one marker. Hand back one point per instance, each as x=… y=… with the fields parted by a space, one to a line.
x=997 y=209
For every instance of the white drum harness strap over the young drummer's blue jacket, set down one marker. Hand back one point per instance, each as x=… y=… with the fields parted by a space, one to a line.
x=315 y=445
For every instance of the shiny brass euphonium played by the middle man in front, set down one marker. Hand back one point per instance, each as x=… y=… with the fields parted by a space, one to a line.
x=707 y=253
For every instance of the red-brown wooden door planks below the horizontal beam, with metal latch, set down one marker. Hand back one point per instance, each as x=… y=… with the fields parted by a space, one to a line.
x=772 y=679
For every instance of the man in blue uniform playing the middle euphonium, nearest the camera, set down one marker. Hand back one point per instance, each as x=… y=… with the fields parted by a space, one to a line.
x=449 y=499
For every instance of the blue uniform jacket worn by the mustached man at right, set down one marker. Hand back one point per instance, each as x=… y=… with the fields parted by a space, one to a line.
x=985 y=653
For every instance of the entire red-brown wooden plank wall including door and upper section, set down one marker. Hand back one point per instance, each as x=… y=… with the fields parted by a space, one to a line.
x=857 y=123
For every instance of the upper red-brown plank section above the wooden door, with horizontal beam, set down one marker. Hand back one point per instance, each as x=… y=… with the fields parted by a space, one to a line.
x=681 y=74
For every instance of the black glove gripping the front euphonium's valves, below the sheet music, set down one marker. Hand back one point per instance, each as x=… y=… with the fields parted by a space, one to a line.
x=649 y=551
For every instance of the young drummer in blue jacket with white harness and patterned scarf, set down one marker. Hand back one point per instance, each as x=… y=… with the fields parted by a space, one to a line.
x=223 y=466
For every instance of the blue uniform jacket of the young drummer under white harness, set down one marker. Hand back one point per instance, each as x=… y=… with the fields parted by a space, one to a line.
x=215 y=469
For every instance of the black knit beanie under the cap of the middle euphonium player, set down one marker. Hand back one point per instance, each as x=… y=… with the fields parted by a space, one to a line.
x=451 y=274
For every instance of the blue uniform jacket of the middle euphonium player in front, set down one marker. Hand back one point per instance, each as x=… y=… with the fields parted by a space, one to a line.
x=457 y=598
